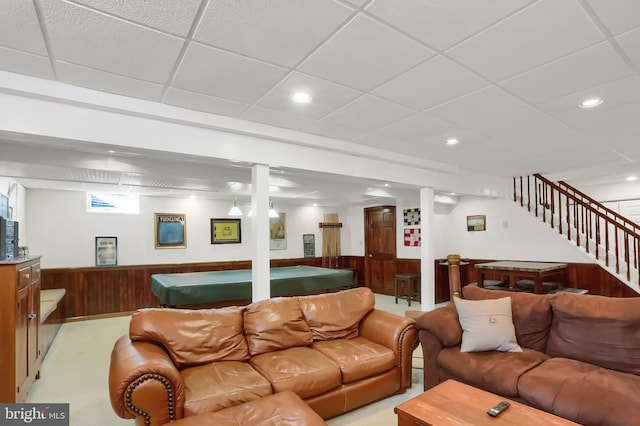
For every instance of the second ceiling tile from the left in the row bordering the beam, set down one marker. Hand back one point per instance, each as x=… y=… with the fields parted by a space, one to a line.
x=107 y=82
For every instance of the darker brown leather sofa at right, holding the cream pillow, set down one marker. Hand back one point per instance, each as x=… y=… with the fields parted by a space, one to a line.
x=580 y=358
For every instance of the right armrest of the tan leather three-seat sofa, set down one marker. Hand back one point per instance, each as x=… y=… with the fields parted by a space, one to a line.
x=396 y=333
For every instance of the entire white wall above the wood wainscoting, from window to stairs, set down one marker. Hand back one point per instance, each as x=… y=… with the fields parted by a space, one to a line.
x=61 y=230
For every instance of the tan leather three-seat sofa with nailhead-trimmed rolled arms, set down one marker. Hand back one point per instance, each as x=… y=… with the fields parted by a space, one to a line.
x=335 y=351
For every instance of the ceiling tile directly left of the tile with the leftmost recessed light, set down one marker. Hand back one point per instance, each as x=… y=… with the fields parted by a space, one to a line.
x=216 y=72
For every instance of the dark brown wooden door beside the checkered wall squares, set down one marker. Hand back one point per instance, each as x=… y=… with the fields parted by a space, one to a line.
x=380 y=248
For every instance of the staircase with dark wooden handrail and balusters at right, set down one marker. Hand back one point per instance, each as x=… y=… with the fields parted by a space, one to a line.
x=609 y=238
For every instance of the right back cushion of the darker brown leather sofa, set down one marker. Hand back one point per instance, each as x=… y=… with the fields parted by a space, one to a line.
x=596 y=329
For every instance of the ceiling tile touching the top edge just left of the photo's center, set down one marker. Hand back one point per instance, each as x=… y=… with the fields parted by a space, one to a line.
x=278 y=31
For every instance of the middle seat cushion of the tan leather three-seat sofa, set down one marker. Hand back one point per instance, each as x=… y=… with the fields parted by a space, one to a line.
x=302 y=370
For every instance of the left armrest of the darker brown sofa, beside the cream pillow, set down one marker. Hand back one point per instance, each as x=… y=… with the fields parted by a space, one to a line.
x=437 y=330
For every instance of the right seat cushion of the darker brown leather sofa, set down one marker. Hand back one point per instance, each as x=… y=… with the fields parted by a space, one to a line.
x=584 y=393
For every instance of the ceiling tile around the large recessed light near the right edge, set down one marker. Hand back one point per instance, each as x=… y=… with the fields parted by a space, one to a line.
x=615 y=93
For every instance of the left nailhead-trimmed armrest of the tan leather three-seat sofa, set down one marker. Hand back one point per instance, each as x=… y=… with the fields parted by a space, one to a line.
x=144 y=383
